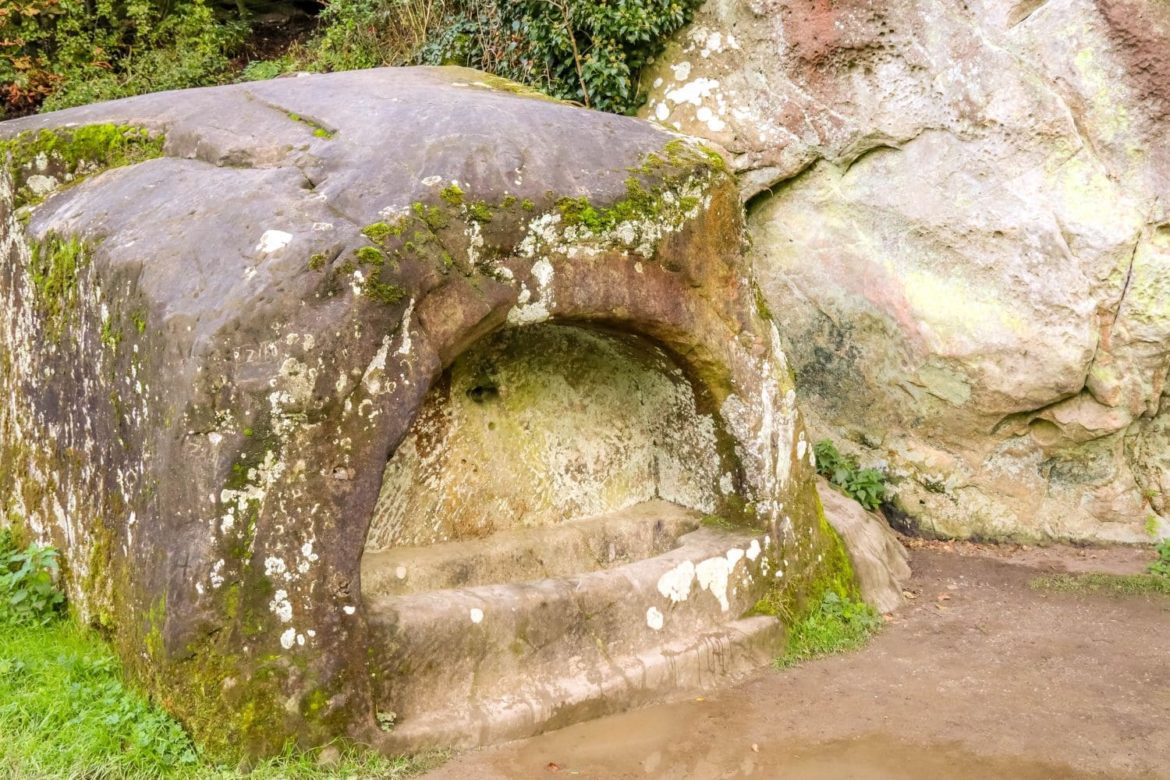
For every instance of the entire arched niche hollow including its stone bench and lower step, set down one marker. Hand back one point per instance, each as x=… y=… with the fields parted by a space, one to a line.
x=554 y=480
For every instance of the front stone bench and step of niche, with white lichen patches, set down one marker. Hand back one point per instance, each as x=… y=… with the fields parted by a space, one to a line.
x=477 y=665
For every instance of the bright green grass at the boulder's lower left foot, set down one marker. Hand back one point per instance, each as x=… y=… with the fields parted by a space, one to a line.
x=66 y=713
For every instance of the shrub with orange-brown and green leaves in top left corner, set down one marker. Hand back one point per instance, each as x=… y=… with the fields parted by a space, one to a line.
x=60 y=53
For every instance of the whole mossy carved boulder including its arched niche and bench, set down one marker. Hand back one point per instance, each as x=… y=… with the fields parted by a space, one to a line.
x=235 y=319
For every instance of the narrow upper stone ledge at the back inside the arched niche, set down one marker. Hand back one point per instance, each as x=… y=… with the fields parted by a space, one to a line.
x=525 y=555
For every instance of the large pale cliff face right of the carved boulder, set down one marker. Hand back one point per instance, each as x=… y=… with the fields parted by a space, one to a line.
x=960 y=223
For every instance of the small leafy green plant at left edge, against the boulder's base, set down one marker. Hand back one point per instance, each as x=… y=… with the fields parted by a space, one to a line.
x=29 y=584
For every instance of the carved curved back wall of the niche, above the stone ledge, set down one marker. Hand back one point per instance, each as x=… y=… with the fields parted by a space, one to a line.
x=539 y=426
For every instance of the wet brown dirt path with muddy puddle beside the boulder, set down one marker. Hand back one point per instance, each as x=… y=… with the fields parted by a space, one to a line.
x=979 y=678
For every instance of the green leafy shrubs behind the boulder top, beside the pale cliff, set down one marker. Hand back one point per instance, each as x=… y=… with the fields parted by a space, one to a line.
x=574 y=50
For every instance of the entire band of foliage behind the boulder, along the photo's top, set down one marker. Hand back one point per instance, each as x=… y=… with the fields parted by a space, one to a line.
x=60 y=53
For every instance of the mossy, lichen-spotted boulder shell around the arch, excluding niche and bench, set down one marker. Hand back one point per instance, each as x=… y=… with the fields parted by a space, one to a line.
x=256 y=310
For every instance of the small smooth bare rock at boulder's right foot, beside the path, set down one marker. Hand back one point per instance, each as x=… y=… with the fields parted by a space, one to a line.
x=882 y=563
